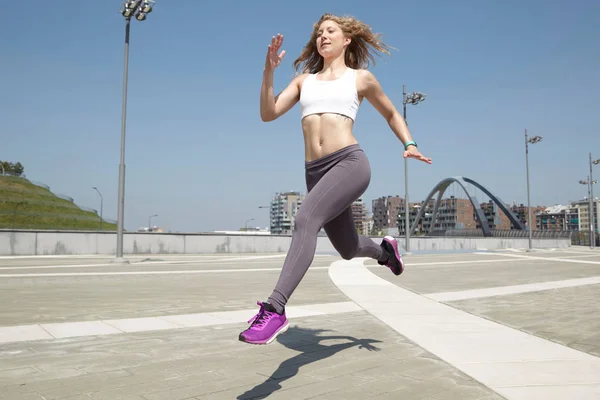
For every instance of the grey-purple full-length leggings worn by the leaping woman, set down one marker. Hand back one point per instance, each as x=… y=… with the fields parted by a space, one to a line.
x=334 y=182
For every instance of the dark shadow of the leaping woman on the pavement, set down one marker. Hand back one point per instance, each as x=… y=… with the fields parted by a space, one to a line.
x=308 y=343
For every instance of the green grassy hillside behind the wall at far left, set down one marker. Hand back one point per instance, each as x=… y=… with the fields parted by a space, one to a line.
x=24 y=205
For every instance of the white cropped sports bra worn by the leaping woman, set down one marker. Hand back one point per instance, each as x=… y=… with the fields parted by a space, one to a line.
x=337 y=96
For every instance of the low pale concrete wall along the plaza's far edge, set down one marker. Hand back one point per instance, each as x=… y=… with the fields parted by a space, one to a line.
x=68 y=243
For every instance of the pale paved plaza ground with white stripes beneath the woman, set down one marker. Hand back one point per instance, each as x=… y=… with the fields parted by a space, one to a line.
x=482 y=325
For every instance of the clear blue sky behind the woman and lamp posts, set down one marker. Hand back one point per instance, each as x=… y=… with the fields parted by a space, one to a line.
x=197 y=152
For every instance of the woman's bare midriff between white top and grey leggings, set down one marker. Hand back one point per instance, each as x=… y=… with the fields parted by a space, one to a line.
x=325 y=134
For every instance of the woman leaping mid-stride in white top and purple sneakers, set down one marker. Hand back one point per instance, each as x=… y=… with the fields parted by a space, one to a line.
x=330 y=90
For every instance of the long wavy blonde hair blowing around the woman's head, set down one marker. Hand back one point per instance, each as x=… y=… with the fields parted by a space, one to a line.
x=358 y=53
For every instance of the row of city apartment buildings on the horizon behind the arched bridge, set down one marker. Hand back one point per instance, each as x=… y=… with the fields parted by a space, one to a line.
x=387 y=214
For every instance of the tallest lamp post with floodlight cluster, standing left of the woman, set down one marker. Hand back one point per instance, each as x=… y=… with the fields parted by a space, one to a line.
x=139 y=9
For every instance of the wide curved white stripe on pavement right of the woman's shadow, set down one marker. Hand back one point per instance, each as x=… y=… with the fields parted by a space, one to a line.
x=513 y=363
